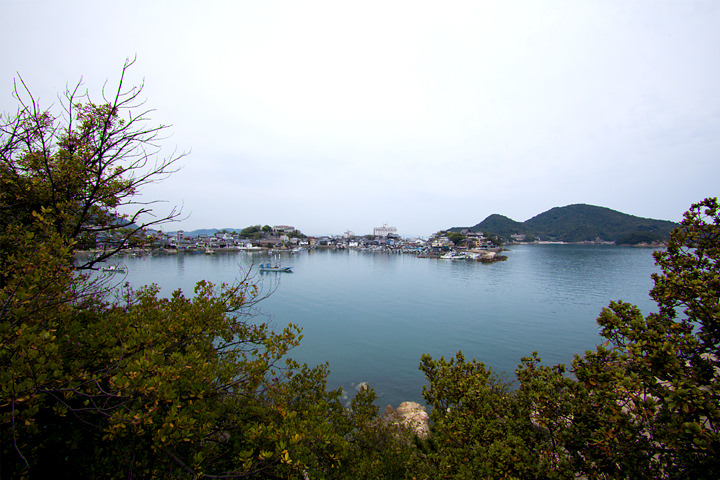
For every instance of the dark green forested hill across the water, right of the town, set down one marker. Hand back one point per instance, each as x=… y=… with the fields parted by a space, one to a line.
x=580 y=223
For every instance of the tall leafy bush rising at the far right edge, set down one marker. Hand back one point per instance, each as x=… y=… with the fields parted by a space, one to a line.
x=672 y=355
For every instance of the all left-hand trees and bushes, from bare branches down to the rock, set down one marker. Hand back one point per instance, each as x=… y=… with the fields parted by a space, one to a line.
x=124 y=384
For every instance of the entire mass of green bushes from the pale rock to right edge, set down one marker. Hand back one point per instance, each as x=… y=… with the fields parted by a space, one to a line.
x=644 y=404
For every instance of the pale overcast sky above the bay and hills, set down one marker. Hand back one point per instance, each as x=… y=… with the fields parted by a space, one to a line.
x=339 y=115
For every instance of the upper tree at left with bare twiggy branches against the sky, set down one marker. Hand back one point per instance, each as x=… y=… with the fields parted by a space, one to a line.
x=93 y=159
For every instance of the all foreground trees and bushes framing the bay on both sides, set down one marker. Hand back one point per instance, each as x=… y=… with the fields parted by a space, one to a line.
x=132 y=384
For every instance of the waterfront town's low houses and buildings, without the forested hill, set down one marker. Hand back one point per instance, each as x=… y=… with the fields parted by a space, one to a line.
x=287 y=237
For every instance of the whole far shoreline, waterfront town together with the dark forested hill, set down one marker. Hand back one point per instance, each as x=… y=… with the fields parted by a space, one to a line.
x=484 y=241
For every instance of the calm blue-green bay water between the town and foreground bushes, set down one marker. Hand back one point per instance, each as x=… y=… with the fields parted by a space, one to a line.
x=372 y=316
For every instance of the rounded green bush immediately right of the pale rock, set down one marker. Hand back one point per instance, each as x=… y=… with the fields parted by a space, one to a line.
x=479 y=427
